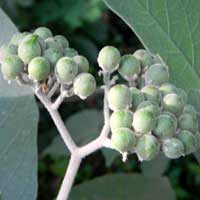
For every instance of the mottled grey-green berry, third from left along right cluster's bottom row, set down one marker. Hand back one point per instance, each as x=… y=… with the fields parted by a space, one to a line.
x=173 y=148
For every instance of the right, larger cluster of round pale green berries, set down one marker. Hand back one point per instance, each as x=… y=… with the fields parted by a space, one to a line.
x=151 y=114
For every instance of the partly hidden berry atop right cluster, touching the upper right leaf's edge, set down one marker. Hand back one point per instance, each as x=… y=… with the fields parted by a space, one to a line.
x=144 y=57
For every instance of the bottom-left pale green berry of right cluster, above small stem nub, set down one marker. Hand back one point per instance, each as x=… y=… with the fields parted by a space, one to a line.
x=123 y=139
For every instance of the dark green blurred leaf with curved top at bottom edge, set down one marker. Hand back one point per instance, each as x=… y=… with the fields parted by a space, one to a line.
x=124 y=186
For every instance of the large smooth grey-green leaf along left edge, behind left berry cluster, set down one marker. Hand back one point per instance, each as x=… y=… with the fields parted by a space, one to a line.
x=18 y=125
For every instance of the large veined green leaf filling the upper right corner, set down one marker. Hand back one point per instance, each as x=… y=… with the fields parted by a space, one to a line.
x=170 y=28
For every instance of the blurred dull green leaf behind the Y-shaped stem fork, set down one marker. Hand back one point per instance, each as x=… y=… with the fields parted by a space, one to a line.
x=83 y=126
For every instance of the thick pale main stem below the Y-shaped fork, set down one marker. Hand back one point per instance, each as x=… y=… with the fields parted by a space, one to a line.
x=69 y=177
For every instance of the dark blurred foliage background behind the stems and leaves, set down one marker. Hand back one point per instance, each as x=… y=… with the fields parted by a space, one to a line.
x=88 y=25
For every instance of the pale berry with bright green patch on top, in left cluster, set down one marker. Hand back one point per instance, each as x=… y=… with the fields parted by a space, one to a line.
x=29 y=48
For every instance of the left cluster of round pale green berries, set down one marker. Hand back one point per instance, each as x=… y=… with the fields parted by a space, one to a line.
x=39 y=56
